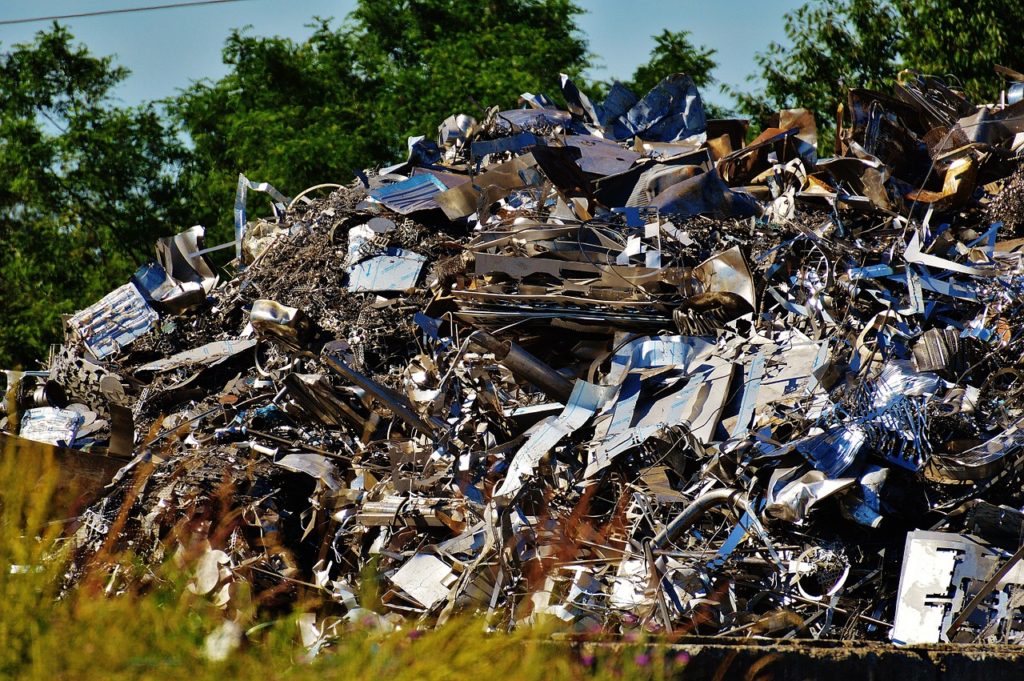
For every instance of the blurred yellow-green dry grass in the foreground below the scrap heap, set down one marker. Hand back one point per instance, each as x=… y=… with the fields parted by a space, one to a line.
x=161 y=631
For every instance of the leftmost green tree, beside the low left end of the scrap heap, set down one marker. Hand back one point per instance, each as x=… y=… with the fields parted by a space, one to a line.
x=86 y=188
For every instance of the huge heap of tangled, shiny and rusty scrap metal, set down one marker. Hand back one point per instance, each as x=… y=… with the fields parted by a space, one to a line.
x=610 y=364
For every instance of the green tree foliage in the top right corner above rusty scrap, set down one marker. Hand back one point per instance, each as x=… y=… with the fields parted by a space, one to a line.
x=835 y=45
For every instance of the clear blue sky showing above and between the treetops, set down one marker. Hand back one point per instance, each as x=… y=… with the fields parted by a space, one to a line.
x=166 y=51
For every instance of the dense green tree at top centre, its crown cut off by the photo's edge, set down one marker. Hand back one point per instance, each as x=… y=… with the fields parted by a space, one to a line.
x=438 y=58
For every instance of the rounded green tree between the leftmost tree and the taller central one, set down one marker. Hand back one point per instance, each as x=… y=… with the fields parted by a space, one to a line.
x=291 y=114
